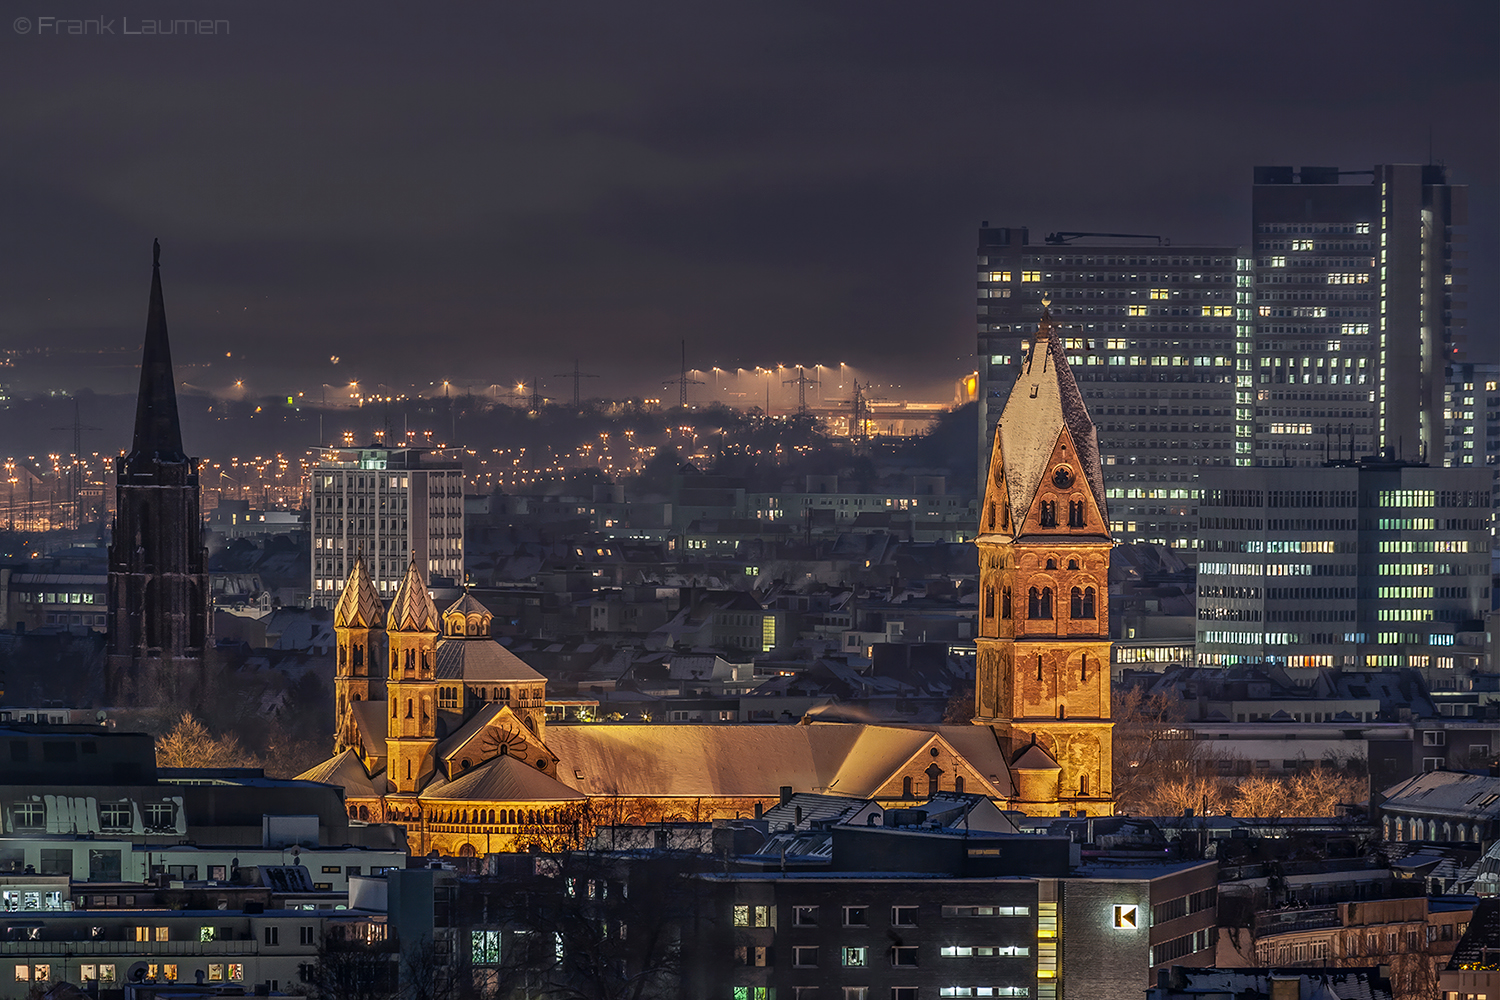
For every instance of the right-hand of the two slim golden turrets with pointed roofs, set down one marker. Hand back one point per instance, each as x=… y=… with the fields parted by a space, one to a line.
x=412 y=684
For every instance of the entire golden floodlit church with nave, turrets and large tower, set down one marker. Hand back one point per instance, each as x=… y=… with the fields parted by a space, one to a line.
x=445 y=731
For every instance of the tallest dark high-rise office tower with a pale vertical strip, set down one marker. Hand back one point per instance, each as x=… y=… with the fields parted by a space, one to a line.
x=1355 y=305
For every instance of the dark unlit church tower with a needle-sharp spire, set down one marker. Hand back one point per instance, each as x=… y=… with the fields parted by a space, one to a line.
x=158 y=579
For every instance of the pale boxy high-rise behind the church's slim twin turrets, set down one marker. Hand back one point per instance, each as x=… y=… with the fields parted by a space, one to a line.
x=388 y=506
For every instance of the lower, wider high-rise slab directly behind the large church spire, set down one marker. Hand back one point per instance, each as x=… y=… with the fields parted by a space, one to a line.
x=1159 y=338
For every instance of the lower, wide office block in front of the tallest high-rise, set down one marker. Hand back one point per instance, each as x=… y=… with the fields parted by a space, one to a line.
x=1354 y=564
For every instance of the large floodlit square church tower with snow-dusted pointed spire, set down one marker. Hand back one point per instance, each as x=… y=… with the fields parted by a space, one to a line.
x=1045 y=554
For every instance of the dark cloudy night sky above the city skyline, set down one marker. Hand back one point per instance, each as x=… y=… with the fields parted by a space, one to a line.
x=487 y=191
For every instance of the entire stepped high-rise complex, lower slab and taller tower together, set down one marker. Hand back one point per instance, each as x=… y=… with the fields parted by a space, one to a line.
x=1337 y=322
